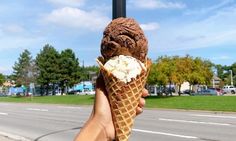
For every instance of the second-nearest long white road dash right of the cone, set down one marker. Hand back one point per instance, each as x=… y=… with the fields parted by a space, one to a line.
x=196 y=122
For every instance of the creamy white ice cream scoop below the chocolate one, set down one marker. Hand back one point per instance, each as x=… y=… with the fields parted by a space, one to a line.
x=124 y=68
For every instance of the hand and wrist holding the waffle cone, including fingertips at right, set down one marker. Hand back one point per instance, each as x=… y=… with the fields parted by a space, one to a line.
x=99 y=126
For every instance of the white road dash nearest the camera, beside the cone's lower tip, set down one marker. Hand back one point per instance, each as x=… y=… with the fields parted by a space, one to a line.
x=163 y=133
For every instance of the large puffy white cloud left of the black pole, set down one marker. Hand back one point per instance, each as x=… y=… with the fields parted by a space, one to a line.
x=77 y=18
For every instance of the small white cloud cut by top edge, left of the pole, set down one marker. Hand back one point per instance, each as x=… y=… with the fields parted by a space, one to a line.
x=71 y=3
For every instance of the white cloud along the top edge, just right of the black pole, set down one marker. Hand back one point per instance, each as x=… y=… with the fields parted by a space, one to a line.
x=156 y=4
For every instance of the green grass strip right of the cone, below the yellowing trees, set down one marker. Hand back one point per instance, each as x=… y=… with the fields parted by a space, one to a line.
x=211 y=103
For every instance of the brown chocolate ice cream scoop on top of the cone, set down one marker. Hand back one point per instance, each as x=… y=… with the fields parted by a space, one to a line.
x=123 y=36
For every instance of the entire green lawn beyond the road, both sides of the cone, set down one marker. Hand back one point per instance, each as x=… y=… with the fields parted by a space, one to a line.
x=212 y=103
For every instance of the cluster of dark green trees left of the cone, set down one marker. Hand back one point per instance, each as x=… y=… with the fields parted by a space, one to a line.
x=49 y=69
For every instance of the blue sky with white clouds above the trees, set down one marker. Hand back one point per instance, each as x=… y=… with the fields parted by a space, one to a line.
x=203 y=28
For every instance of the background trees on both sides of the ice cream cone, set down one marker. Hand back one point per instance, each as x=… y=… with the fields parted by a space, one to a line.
x=52 y=68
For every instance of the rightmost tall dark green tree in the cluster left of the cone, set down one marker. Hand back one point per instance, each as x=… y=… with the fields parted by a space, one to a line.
x=69 y=69
